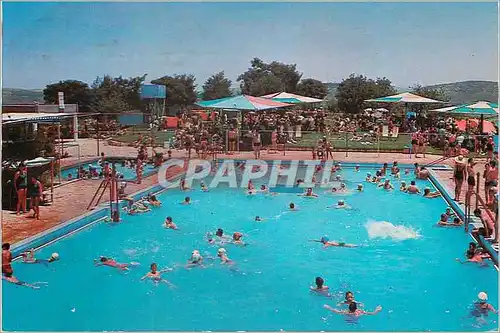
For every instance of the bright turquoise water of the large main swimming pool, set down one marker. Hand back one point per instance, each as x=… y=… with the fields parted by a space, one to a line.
x=417 y=281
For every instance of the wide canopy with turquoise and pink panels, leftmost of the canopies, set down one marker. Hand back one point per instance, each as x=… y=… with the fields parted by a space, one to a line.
x=242 y=102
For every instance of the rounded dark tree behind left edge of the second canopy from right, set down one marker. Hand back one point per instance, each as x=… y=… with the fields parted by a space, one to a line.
x=353 y=91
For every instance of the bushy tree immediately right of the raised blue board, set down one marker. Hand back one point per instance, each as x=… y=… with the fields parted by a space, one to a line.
x=181 y=89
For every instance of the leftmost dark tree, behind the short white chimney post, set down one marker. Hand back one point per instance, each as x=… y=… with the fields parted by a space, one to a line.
x=75 y=92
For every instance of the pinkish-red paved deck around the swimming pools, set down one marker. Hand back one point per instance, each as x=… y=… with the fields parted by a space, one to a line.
x=72 y=199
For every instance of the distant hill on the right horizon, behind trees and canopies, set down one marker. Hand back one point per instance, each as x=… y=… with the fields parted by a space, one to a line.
x=458 y=92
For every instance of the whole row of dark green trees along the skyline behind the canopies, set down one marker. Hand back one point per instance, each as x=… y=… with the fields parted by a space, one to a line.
x=114 y=95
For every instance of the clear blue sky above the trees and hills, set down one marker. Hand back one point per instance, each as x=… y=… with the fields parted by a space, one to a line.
x=425 y=43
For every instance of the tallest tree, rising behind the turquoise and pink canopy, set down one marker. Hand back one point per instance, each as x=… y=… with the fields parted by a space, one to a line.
x=262 y=79
